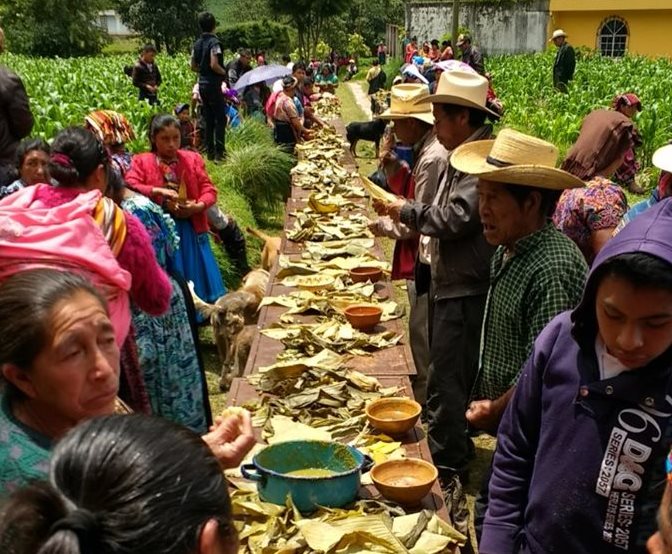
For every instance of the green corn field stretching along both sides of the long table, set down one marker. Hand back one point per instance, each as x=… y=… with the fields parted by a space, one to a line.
x=62 y=91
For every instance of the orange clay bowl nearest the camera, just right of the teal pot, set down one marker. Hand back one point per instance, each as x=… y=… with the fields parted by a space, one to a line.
x=406 y=481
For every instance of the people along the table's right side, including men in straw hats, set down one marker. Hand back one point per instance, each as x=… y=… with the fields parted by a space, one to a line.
x=540 y=312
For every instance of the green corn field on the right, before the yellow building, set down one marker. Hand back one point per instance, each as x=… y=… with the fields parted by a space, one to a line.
x=524 y=84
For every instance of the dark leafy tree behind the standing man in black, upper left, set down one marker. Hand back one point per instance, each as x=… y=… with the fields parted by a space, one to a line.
x=169 y=23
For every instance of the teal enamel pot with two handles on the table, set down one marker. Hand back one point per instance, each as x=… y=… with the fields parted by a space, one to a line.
x=270 y=467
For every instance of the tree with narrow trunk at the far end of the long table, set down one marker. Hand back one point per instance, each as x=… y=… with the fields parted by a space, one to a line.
x=308 y=18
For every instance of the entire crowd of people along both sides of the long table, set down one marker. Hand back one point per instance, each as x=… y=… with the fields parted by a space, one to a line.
x=540 y=312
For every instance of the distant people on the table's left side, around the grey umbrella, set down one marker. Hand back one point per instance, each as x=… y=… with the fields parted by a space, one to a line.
x=218 y=102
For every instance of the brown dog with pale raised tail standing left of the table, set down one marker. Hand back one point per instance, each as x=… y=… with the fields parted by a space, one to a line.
x=233 y=318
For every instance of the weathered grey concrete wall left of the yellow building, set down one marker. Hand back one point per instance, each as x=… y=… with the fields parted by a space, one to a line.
x=494 y=30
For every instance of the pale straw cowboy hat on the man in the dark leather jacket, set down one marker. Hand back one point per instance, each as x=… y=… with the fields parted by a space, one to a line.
x=461 y=88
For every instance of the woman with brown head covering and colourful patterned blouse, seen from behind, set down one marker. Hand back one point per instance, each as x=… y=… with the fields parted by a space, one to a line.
x=589 y=215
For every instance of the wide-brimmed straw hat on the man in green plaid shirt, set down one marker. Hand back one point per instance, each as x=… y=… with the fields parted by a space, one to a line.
x=514 y=158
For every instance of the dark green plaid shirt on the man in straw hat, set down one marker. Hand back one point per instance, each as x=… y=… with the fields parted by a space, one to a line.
x=544 y=276
